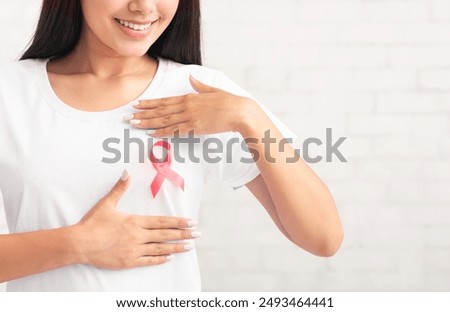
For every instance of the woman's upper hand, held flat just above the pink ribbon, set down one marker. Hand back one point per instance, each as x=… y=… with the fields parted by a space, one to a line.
x=210 y=111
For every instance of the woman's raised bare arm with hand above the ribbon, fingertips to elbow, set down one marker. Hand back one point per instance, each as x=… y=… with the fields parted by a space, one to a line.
x=294 y=196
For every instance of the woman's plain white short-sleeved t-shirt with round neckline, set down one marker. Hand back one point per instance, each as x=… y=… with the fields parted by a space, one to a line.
x=55 y=165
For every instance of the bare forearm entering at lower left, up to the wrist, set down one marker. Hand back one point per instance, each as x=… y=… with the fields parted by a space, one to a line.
x=35 y=252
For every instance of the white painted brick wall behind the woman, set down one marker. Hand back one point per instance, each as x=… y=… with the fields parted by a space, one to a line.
x=375 y=71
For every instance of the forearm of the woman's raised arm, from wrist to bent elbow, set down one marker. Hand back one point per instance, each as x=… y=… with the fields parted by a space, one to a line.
x=303 y=204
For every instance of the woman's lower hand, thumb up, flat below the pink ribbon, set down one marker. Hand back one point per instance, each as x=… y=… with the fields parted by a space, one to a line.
x=112 y=239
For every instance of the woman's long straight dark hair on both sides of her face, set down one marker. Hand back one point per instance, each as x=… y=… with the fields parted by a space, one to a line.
x=59 y=29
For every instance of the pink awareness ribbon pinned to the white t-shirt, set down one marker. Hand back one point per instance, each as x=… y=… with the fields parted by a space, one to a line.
x=163 y=169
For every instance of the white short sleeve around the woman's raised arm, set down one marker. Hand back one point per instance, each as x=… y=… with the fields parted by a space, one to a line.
x=233 y=163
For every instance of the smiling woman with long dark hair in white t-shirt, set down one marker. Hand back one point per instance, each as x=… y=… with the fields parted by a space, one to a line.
x=101 y=80
